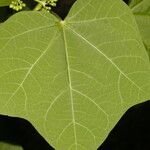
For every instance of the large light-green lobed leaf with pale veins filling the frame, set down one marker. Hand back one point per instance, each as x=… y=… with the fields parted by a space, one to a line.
x=73 y=79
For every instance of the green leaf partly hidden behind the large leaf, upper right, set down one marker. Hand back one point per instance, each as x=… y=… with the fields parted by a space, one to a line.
x=142 y=14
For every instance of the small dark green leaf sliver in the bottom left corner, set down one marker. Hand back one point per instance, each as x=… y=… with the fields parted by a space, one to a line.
x=5 y=146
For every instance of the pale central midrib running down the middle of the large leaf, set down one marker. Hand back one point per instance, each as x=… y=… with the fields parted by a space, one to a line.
x=70 y=85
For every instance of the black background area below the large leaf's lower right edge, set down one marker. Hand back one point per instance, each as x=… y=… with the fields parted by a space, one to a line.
x=132 y=132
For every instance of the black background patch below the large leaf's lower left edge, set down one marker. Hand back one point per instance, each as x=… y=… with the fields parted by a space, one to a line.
x=18 y=131
